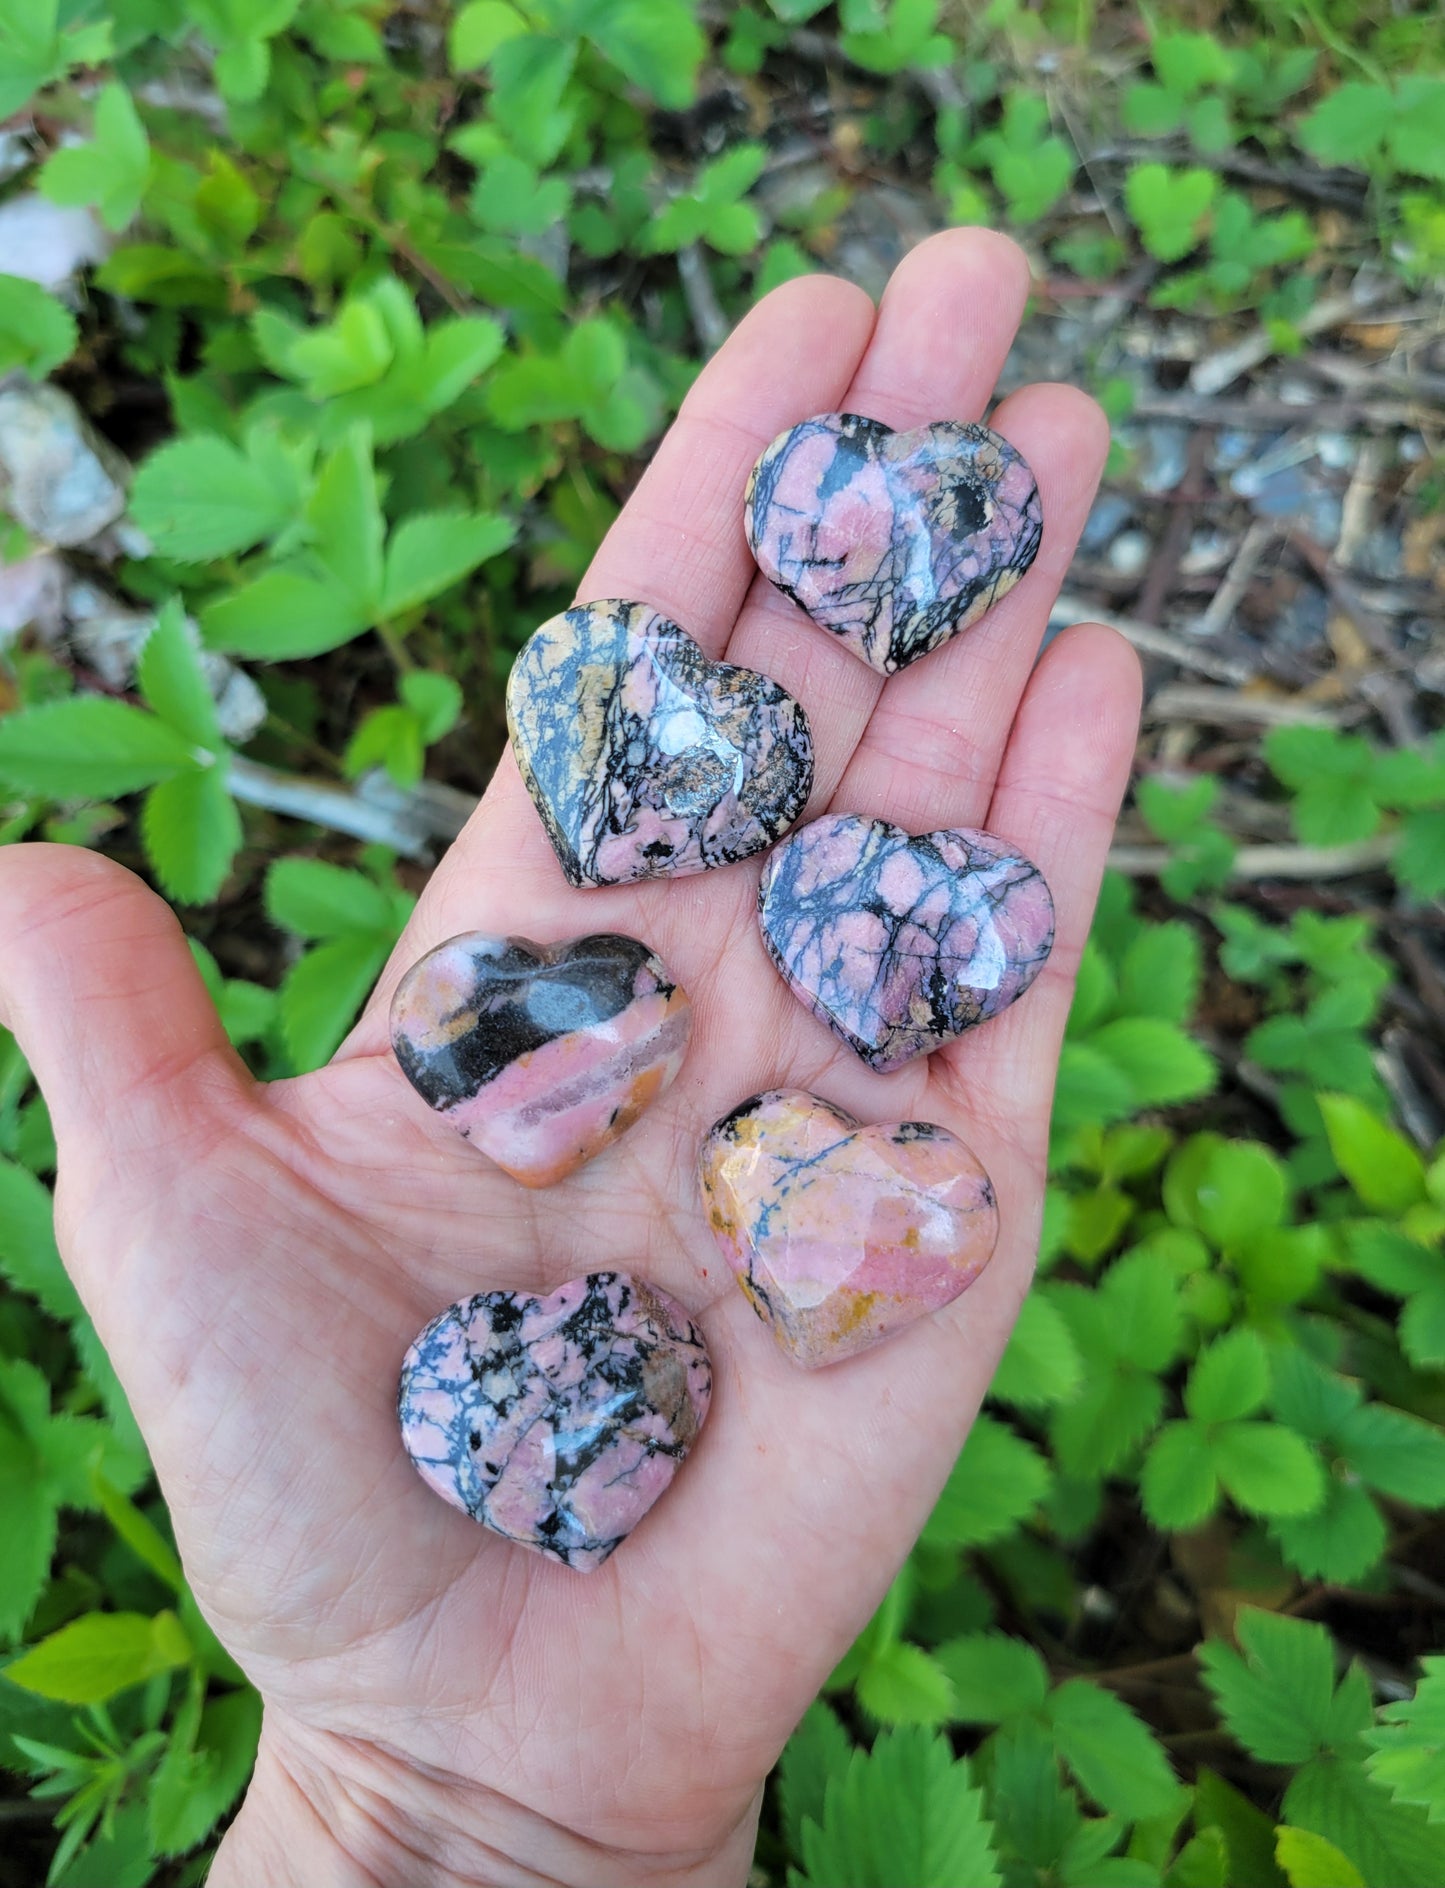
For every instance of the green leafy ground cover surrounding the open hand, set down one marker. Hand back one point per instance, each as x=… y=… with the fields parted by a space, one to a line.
x=413 y=312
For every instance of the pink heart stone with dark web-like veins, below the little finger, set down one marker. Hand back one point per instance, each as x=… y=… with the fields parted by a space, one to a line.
x=896 y=943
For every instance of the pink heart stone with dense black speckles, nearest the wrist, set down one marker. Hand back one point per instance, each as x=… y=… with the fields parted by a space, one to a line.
x=556 y=1421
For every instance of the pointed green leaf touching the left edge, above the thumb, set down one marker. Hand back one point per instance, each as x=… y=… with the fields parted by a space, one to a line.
x=90 y=749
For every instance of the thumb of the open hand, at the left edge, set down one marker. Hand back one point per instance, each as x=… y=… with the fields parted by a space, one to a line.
x=107 y=1003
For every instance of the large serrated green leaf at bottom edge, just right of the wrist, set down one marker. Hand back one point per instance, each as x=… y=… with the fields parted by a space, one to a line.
x=904 y=1815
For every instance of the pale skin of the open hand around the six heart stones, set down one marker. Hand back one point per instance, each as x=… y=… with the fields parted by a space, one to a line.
x=443 y=1708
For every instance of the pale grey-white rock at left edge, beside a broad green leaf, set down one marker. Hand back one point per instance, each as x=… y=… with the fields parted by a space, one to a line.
x=59 y=480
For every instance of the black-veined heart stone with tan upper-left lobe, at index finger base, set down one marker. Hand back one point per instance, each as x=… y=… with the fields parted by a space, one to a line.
x=643 y=756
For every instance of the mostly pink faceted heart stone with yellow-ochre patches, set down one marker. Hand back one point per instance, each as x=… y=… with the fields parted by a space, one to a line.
x=838 y=1234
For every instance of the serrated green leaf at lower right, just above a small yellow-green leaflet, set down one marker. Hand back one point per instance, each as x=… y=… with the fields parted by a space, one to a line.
x=1280 y=1700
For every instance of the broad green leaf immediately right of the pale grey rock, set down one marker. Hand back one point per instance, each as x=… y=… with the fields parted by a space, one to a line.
x=201 y=499
